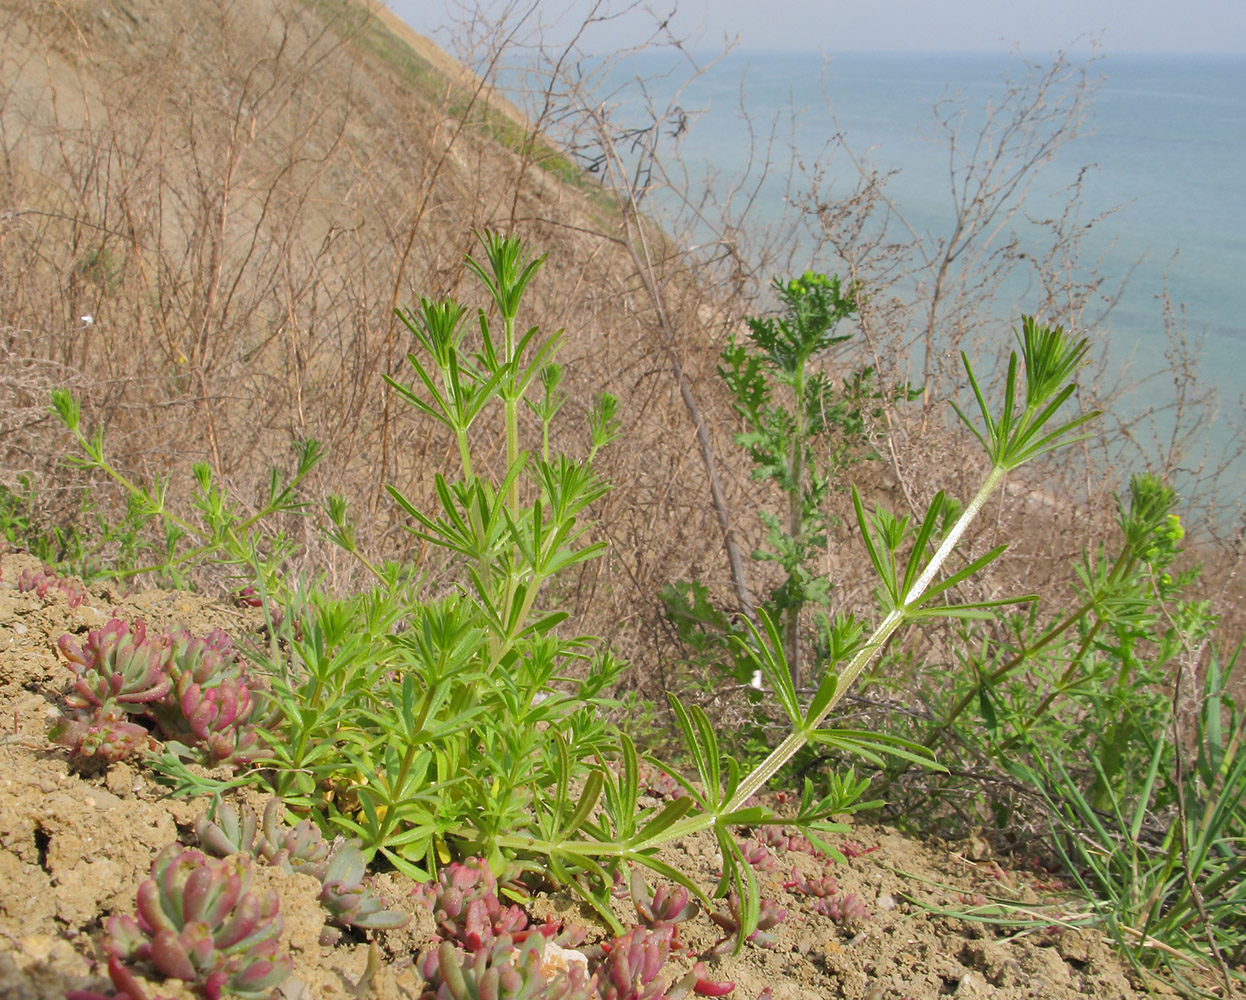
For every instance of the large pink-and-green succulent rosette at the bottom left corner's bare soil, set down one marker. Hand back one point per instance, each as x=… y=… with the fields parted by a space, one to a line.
x=197 y=922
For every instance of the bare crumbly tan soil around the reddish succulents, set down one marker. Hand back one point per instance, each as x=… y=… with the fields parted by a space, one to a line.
x=75 y=847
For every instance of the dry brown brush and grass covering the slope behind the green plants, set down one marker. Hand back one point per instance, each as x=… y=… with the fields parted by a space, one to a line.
x=240 y=196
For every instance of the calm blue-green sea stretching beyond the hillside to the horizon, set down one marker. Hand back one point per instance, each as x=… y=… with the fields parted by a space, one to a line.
x=1163 y=161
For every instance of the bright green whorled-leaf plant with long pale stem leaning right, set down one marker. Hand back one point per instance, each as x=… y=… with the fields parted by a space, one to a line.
x=460 y=724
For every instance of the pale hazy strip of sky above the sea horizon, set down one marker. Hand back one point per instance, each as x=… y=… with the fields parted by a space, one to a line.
x=885 y=26
